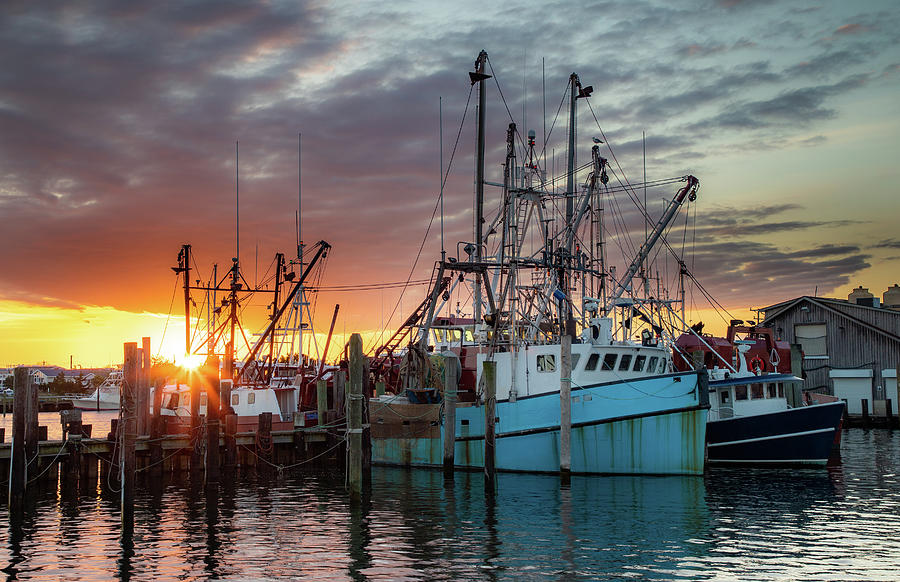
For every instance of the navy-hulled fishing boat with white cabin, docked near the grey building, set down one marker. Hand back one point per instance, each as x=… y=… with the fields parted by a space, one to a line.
x=757 y=413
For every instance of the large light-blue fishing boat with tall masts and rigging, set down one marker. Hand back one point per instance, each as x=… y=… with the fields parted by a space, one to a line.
x=548 y=318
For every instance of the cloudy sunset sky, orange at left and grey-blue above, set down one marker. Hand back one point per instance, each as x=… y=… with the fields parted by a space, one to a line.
x=130 y=128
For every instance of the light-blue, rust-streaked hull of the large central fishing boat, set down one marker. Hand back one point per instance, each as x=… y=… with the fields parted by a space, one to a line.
x=655 y=425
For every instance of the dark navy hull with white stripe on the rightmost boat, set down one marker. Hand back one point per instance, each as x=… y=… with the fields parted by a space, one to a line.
x=802 y=435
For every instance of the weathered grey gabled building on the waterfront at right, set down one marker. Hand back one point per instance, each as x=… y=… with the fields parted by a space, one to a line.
x=841 y=336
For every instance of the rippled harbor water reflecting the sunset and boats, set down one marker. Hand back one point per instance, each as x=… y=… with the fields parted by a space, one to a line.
x=839 y=523
